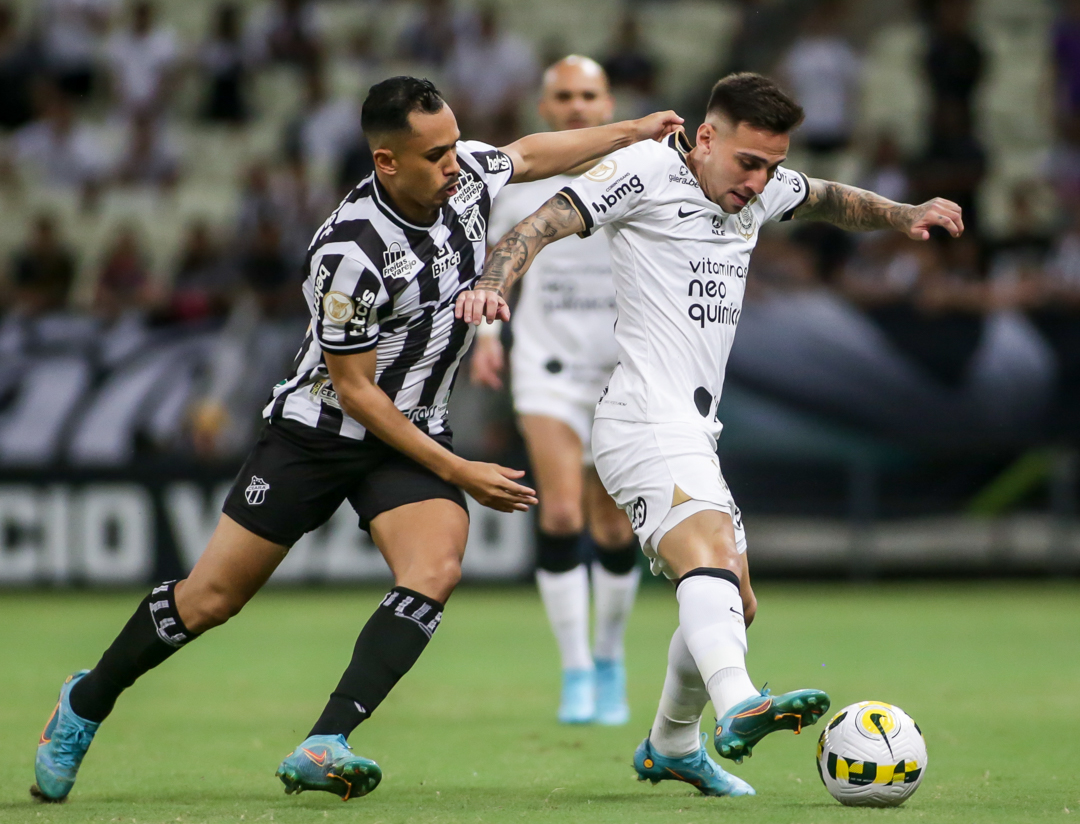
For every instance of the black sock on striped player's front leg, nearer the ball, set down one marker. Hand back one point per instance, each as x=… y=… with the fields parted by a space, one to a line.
x=388 y=646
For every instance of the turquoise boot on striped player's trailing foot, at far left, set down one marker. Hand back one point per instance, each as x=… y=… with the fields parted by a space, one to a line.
x=62 y=747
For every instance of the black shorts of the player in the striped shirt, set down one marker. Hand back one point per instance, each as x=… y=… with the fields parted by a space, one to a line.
x=296 y=478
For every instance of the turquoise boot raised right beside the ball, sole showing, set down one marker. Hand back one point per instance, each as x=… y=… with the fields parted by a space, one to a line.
x=752 y=720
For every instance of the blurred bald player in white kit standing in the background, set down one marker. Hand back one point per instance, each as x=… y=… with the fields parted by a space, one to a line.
x=564 y=352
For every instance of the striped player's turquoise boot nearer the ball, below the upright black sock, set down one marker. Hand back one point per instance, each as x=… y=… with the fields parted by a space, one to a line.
x=327 y=763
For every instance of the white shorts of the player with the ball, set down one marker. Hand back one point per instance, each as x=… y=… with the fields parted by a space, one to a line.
x=641 y=466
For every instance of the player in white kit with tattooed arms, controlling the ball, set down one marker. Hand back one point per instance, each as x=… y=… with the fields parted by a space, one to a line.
x=682 y=224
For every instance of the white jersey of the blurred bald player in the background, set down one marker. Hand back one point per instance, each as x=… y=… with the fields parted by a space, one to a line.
x=565 y=316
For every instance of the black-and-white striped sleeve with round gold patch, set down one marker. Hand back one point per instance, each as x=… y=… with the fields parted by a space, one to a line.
x=346 y=303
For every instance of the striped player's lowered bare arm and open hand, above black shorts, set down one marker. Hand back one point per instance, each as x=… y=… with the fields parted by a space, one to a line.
x=492 y=485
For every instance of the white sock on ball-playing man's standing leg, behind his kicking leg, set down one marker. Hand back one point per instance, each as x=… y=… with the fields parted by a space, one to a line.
x=677 y=731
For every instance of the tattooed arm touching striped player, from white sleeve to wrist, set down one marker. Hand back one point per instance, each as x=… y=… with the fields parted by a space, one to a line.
x=514 y=255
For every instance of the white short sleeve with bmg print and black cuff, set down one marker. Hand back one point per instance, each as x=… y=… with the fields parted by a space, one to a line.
x=613 y=190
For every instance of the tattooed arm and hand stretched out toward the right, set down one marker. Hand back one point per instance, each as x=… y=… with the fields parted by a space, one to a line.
x=861 y=211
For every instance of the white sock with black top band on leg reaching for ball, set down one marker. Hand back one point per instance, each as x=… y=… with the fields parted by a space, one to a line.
x=711 y=618
